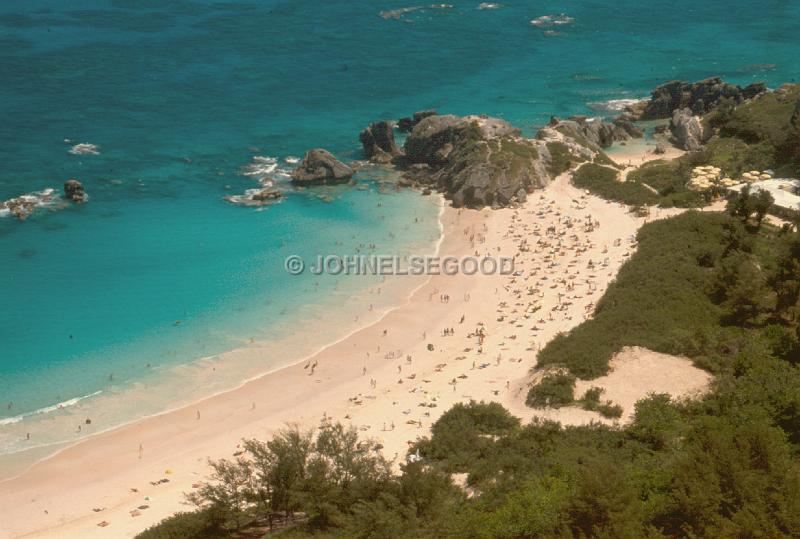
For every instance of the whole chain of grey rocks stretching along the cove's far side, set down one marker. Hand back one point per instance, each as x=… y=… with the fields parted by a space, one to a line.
x=477 y=161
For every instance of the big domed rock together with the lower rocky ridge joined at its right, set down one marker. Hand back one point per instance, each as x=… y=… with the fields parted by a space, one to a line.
x=478 y=161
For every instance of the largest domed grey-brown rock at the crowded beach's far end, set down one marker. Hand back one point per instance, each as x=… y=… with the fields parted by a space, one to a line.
x=475 y=161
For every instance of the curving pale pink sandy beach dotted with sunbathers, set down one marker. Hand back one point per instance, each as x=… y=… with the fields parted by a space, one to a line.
x=458 y=338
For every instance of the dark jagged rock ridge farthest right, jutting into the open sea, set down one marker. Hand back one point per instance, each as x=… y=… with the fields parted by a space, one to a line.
x=699 y=97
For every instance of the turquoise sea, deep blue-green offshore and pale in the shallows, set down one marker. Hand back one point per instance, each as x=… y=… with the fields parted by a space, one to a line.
x=181 y=95
